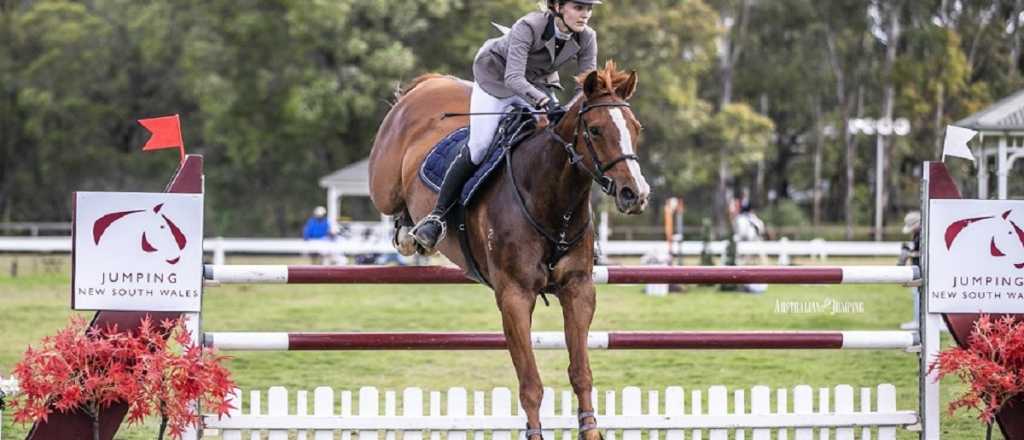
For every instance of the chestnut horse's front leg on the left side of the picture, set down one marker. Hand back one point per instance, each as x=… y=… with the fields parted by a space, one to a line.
x=517 y=305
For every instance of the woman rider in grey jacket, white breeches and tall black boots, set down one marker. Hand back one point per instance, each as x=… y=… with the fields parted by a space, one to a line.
x=519 y=67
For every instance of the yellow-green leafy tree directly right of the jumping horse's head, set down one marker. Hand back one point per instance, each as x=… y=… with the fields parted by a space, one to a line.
x=670 y=45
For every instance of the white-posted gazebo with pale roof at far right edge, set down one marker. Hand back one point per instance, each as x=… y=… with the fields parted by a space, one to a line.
x=1001 y=129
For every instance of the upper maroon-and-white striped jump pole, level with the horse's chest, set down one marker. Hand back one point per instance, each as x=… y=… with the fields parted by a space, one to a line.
x=236 y=275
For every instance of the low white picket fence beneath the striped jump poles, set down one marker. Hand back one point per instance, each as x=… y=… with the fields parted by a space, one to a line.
x=794 y=414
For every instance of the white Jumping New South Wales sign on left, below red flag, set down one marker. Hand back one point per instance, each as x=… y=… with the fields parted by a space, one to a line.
x=138 y=251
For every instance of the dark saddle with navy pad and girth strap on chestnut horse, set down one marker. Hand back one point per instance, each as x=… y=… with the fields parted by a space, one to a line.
x=514 y=129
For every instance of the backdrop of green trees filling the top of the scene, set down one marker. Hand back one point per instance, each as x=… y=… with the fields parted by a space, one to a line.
x=277 y=94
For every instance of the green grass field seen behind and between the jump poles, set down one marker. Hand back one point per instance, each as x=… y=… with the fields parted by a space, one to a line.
x=36 y=303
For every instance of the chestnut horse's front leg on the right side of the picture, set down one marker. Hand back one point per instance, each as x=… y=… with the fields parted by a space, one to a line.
x=579 y=301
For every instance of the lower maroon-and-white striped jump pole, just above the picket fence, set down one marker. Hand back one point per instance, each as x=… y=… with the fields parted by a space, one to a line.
x=557 y=340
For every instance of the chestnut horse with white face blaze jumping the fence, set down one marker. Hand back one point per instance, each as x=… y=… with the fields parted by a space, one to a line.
x=530 y=228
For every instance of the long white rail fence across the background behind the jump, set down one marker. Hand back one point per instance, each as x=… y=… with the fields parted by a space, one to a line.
x=221 y=248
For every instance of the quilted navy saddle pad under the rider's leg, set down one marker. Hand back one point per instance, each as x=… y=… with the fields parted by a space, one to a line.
x=437 y=164
